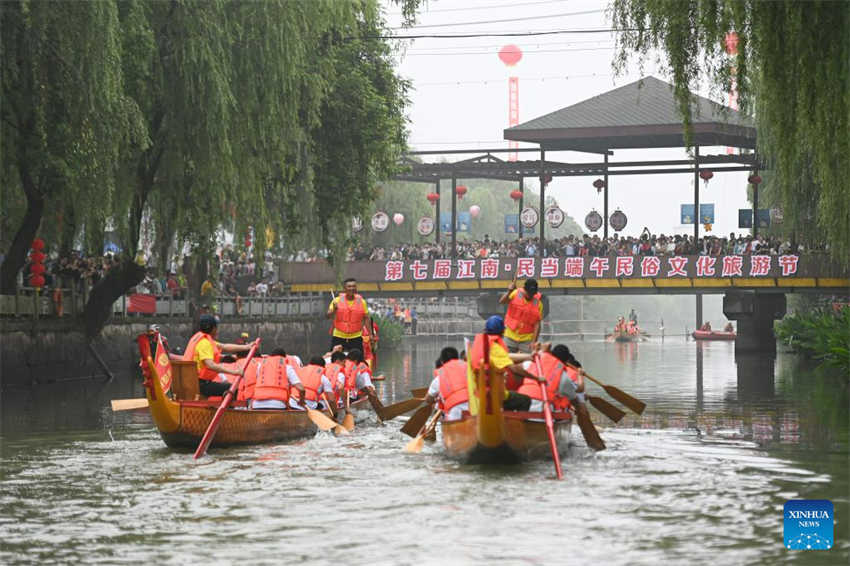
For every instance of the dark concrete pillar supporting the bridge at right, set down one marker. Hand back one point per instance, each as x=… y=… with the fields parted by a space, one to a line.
x=755 y=313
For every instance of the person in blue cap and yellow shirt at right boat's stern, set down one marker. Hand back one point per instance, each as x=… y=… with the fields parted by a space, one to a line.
x=501 y=360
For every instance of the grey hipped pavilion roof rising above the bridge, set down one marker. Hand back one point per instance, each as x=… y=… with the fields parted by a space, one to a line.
x=642 y=114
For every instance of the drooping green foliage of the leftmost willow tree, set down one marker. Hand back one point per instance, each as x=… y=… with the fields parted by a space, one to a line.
x=64 y=113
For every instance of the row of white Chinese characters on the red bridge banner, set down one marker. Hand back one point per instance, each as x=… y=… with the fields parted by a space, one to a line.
x=593 y=267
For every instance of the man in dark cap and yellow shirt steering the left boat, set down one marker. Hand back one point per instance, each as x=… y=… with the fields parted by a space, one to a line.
x=205 y=351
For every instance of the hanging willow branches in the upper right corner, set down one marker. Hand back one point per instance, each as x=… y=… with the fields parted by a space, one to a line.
x=792 y=71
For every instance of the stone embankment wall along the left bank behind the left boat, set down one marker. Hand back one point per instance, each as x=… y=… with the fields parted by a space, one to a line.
x=51 y=351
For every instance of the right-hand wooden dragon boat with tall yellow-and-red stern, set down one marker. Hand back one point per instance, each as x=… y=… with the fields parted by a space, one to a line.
x=491 y=435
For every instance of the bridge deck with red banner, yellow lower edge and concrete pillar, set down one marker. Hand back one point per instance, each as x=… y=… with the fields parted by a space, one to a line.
x=754 y=286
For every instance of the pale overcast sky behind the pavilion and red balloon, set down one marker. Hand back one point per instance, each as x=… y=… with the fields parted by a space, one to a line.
x=460 y=100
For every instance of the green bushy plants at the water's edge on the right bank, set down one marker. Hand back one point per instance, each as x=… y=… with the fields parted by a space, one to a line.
x=822 y=334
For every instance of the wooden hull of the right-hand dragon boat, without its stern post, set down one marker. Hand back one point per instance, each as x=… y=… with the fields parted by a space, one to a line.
x=523 y=439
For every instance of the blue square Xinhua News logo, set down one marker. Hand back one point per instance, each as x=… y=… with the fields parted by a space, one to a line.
x=808 y=524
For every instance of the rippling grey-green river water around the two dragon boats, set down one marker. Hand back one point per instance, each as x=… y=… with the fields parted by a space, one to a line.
x=700 y=478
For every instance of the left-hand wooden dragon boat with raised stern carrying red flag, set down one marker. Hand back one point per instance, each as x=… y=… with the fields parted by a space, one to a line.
x=182 y=415
